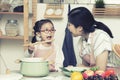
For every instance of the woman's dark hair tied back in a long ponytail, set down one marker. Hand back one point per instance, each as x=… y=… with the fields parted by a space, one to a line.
x=81 y=16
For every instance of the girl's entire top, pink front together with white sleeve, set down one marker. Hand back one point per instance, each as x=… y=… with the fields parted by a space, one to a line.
x=52 y=54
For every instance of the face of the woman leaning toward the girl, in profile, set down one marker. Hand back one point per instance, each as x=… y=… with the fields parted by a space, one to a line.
x=75 y=31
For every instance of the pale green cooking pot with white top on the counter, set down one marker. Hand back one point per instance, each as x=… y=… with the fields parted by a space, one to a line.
x=34 y=67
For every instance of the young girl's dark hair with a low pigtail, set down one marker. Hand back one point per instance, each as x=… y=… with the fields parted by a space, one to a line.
x=37 y=27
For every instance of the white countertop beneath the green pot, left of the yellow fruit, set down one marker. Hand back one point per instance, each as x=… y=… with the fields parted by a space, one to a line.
x=16 y=75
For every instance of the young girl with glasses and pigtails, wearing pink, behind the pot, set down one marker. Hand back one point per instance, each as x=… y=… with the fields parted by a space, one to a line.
x=44 y=32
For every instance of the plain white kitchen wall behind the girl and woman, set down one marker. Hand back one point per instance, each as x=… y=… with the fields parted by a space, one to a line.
x=13 y=49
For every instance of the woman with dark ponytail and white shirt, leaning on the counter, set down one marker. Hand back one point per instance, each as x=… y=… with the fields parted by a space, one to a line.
x=95 y=41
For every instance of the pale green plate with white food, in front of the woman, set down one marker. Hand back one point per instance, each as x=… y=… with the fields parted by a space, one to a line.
x=68 y=70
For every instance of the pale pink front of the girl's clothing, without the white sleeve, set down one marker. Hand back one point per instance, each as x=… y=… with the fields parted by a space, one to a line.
x=47 y=53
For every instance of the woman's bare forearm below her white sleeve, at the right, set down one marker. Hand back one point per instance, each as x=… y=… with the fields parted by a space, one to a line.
x=101 y=60
